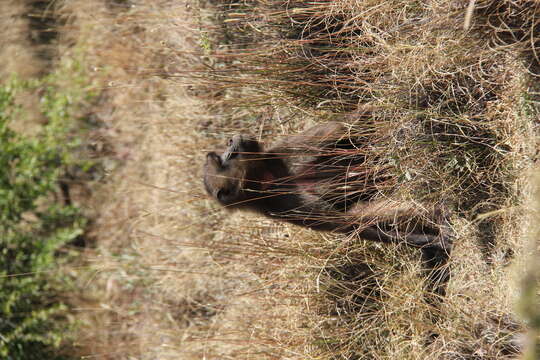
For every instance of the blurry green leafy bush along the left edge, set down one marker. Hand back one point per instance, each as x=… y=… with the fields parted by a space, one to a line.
x=33 y=227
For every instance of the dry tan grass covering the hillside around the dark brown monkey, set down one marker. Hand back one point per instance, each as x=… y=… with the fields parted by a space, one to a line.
x=452 y=88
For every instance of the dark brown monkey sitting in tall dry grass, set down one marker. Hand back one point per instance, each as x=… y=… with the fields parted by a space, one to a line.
x=320 y=179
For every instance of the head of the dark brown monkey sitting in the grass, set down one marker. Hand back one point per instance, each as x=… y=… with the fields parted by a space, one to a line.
x=225 y=173
